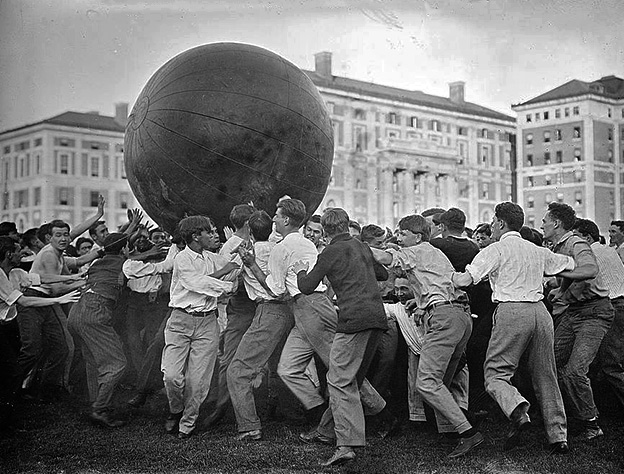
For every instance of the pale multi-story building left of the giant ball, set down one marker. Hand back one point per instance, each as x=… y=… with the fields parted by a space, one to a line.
x=56 y=168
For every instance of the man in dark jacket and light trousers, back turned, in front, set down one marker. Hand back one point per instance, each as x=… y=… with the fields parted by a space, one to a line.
x=353 y=273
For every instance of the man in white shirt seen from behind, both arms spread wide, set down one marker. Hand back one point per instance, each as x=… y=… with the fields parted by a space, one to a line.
x=522 y=325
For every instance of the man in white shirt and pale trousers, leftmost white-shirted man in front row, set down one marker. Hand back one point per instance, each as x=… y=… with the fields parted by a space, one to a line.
x=192 y=332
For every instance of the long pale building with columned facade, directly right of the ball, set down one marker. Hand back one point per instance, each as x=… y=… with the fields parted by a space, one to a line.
x=399 y=151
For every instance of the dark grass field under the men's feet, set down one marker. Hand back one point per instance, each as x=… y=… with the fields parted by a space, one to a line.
x=58 y=438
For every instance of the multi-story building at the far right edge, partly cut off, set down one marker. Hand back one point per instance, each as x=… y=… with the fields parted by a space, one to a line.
x=570 y=149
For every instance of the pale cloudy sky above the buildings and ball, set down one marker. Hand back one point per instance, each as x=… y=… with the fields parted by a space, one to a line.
x=87 y=55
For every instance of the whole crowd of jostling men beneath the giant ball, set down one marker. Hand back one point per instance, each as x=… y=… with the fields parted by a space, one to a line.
x=365 y=326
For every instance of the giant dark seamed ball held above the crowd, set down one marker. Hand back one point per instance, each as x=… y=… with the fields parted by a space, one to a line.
x=224 y=124
